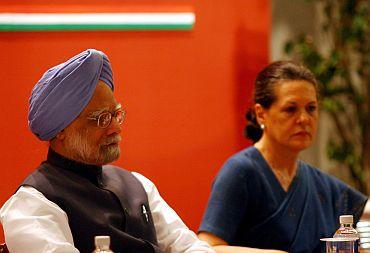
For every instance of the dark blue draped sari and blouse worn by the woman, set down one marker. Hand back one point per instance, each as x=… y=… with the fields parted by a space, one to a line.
x=248 y=206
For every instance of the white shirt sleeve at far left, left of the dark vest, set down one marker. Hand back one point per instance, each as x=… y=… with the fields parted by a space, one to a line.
x=33 y=224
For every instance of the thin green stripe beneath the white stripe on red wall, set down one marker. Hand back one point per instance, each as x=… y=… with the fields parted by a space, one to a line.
x=91 y=27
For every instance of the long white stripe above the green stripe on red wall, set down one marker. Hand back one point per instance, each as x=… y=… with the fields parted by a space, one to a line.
x=98 y=18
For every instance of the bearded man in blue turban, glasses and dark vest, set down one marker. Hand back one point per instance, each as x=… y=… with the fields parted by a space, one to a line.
x=74 y=195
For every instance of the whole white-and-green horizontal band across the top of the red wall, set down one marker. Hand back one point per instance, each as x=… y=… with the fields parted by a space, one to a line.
x=96 y=21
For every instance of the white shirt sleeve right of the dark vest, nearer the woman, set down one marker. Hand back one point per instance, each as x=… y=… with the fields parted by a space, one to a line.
x=172 y=234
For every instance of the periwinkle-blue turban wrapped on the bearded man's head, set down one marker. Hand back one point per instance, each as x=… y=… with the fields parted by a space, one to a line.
x=65 y=90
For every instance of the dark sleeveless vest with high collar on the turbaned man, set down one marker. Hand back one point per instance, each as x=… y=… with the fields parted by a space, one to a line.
x=98 y=201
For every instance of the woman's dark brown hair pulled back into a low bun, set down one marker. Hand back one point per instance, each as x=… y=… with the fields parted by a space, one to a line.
x=264 y=92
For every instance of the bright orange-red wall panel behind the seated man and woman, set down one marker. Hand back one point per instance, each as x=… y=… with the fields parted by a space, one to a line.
x=185 y=91
